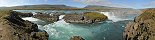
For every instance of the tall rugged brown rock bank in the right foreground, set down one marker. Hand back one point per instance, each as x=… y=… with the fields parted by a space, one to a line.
x=143 y=27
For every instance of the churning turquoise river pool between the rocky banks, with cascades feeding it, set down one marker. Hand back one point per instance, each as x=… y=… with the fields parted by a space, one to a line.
x=60 y=30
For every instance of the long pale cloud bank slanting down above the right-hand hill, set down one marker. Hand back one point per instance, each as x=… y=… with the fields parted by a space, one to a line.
x=100 y=2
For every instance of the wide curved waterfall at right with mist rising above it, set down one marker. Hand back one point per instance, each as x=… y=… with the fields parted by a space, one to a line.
x=121 y=15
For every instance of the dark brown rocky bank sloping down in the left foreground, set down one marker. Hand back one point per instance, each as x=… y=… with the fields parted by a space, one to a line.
x=12 y=27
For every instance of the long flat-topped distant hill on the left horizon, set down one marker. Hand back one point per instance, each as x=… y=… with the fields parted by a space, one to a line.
x=40 y=7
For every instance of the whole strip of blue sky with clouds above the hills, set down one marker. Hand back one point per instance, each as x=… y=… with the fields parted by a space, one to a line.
x=137 y=4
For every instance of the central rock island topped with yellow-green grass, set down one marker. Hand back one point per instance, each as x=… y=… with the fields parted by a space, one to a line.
x=88 y=17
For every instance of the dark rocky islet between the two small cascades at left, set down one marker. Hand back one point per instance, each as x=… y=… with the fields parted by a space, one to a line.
x=47 y=17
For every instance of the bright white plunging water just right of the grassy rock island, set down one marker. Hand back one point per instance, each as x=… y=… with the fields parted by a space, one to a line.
x=113 y=17
